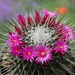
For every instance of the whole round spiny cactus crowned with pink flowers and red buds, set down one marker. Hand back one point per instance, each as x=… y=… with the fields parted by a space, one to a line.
x=40 y=45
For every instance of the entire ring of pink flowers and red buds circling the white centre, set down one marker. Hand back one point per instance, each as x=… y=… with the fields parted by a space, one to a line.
x=41 y=53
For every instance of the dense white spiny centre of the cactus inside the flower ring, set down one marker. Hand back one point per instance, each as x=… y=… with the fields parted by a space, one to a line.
x=40 y=34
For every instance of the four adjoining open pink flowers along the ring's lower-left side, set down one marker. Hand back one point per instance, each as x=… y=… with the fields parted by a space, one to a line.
x=40 y=53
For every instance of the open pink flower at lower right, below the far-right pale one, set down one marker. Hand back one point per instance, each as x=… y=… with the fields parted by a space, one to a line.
x=61 y=47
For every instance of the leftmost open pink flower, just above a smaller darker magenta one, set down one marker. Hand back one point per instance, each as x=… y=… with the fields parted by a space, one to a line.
x=14 y=39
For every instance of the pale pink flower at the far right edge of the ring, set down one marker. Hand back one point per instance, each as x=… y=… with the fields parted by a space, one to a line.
x=68 y=33
